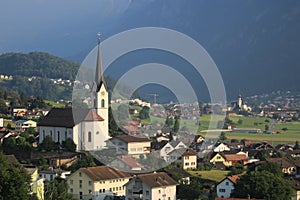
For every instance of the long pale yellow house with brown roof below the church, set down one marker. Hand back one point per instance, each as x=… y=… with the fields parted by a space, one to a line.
x=97 y=182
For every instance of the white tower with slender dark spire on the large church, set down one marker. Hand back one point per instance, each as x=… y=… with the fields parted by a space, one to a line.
x=100 y=94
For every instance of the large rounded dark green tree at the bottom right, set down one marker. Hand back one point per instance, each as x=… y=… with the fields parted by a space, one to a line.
x=262 y=185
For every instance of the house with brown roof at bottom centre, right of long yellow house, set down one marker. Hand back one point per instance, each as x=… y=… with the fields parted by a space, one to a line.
x=152 y=186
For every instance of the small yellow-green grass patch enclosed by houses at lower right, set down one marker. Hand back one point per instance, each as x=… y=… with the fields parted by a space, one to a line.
x=214 y=175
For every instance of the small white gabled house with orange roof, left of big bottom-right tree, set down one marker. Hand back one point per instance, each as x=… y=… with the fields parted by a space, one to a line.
x=226 y=186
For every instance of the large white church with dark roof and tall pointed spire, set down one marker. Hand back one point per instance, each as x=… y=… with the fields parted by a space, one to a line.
x=89 y=128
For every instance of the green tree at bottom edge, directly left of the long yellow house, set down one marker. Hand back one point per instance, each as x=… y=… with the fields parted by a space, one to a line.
x=57 y=190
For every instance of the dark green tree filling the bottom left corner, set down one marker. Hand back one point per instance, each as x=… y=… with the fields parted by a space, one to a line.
x=14 y=181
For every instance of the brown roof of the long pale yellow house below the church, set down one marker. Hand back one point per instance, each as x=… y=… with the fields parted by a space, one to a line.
x=103 y=173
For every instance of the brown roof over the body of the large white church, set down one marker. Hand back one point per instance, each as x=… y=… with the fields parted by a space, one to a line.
x=63 y=117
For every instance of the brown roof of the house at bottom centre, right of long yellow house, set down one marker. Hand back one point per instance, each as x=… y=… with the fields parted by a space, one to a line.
x=158 y=179
